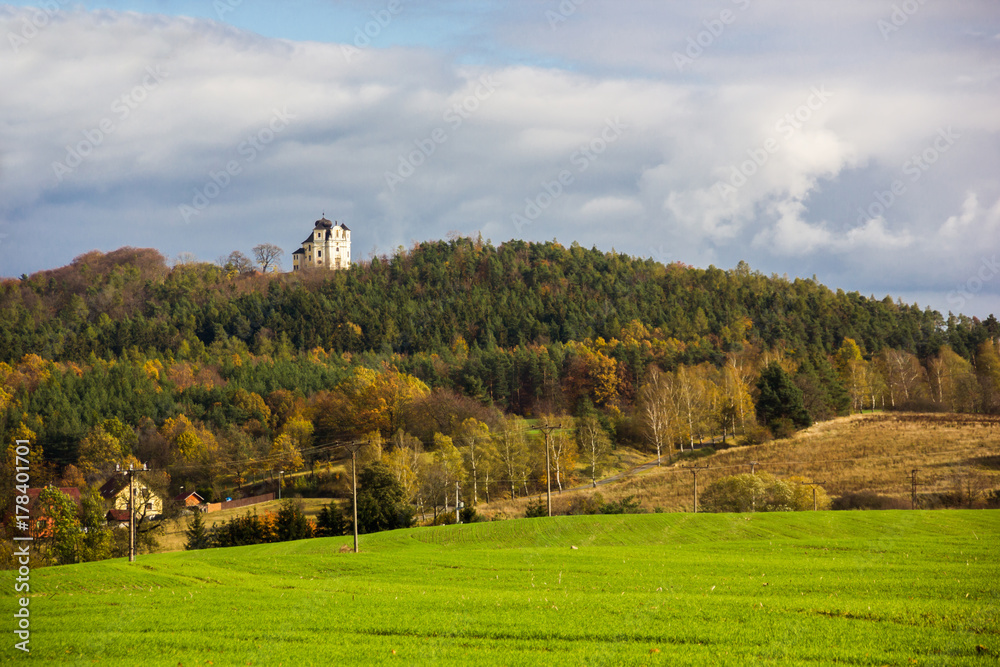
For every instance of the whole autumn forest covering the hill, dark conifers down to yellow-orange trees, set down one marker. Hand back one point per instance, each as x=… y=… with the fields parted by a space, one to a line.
x=216 y=373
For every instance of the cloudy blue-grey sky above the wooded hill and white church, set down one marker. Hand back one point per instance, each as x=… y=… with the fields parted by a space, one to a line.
x=857 y=141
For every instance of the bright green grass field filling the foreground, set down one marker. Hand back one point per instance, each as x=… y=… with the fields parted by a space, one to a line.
x=861 y=588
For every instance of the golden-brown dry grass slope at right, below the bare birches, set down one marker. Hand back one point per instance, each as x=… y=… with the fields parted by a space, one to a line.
x=952 y=454
